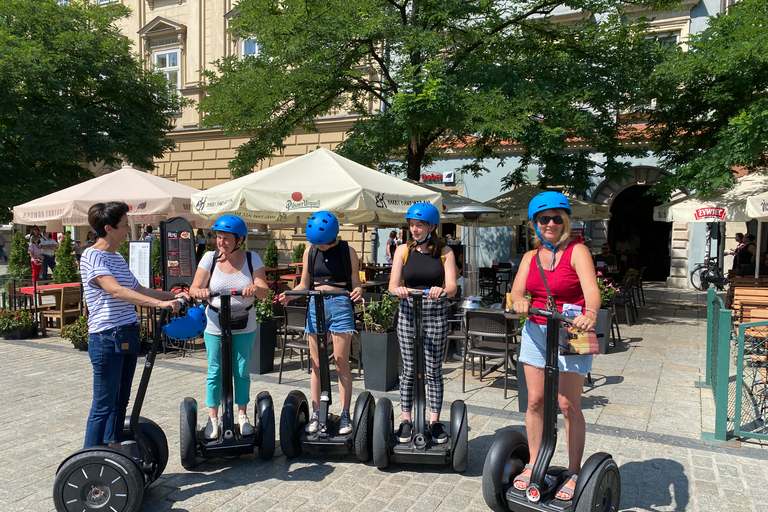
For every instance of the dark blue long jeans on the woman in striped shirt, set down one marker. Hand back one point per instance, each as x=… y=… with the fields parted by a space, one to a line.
x=112 y=377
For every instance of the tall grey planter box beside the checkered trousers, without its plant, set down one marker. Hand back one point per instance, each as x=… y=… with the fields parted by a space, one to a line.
x=381 y=355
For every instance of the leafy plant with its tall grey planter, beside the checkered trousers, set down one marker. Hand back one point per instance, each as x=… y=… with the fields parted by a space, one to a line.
x=379 y=346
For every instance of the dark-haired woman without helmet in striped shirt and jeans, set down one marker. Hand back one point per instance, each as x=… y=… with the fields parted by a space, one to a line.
x=111 y=293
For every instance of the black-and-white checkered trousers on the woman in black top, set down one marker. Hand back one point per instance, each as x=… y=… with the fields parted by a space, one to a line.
x=435 y=324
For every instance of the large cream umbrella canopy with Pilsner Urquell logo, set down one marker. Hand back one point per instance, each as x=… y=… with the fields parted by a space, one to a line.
x=288 y=193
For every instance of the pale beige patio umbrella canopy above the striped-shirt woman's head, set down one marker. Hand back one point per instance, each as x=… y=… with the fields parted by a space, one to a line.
x=150 y=198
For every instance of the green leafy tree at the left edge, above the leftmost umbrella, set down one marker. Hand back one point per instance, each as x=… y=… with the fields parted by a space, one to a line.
x=73 y=93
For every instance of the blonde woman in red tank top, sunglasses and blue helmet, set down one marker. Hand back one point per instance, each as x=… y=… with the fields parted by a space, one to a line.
x=571 y=277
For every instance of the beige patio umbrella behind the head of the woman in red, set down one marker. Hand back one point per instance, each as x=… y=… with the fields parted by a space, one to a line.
x=514 y=204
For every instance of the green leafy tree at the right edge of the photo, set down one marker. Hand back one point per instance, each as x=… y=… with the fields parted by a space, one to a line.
x=711 y=111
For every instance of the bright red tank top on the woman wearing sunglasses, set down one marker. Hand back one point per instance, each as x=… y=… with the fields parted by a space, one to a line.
x=563 y=283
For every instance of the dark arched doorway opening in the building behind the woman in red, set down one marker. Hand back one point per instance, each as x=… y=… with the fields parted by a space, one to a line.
x=632 y=213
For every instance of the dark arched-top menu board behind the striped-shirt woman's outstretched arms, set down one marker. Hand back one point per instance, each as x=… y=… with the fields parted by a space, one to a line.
x=179 y=264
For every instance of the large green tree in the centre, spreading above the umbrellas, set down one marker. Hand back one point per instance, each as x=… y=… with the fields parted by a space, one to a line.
x=443 y=74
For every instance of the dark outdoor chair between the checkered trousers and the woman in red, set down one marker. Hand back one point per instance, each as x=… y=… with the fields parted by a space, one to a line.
x=488 y=336
